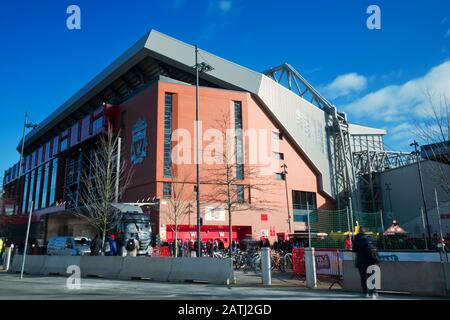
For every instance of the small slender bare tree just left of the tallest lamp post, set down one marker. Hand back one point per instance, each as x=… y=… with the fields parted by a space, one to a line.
x=178 y=205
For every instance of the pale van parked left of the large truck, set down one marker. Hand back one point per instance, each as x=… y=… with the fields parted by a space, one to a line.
x=69 y=246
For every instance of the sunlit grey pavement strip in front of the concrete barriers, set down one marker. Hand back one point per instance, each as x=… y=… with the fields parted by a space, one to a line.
x=55 y=288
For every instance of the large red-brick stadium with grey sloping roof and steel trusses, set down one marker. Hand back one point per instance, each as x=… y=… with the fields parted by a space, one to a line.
x=149 y=96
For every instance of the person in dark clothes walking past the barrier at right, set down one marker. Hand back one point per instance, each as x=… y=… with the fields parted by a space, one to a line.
x=364 y=258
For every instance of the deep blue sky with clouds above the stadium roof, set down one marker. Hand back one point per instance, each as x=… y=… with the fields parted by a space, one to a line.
x=377 y=76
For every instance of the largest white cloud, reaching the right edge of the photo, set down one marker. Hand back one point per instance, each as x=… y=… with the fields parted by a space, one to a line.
x=402 y=102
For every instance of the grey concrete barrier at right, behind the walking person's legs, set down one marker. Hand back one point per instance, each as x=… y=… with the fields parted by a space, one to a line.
x=418 y=278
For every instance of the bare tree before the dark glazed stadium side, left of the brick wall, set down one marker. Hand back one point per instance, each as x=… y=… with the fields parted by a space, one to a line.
x=103 y=183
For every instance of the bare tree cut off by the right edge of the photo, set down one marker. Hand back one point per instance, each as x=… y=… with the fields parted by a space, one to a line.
x=434 y=131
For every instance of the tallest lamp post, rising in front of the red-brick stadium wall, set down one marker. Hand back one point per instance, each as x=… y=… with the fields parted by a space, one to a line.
x=199 y=68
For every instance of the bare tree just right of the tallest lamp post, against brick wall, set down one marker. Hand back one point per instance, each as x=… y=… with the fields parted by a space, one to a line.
x=231 y=178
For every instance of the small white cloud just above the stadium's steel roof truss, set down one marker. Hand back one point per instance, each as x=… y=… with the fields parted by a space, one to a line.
x=344 y=85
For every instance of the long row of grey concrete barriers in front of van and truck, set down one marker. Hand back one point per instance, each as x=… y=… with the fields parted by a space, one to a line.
x=210 y=270
